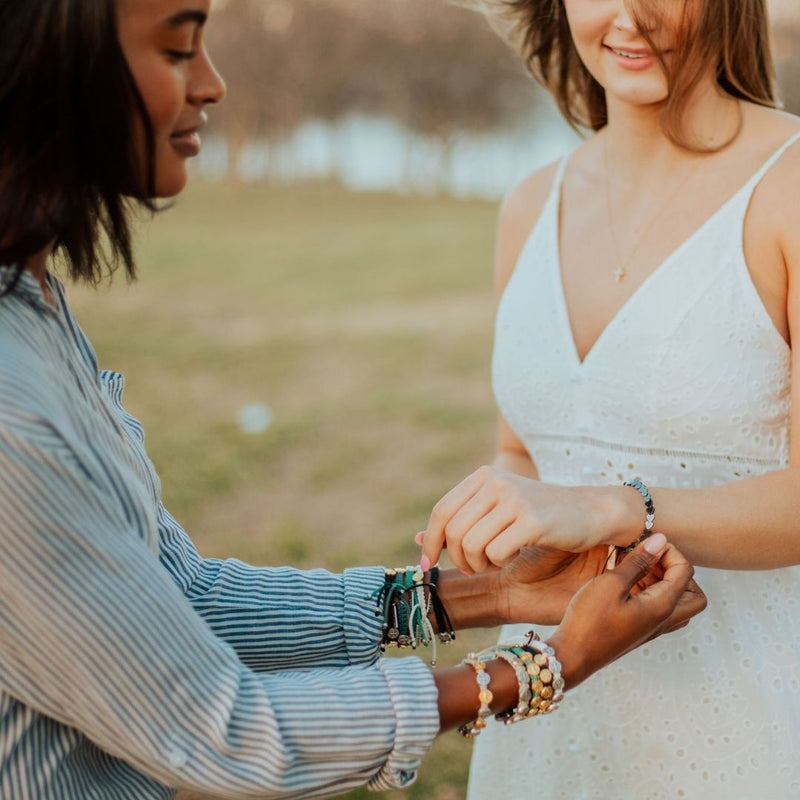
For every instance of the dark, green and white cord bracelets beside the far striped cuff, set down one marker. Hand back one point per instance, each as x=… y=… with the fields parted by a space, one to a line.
x=406 y=601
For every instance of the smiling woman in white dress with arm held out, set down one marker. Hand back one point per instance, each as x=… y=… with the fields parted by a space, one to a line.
x=650 y=289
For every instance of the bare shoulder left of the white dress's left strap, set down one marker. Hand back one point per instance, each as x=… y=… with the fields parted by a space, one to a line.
x=519 y=213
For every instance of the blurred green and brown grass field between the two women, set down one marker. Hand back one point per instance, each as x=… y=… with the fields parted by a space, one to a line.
x=363 y=322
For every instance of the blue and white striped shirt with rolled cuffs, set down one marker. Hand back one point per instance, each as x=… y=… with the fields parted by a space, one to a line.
x=129 y=666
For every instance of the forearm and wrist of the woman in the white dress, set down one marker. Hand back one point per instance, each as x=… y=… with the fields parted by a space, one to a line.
x=749 y=524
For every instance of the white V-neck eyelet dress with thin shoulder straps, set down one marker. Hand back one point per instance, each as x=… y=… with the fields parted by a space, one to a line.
x=688 y=386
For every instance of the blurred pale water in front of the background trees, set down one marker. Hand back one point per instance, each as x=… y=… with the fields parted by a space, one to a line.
x=367 y=153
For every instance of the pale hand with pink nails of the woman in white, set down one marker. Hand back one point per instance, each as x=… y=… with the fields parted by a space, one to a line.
x=491 y=515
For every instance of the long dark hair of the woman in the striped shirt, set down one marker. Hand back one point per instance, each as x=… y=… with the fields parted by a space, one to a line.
x=76 y=144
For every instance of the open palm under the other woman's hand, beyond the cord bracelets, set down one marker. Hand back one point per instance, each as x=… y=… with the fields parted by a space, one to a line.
x=539 y=583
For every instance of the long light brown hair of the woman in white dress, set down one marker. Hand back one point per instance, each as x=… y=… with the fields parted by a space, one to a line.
x=730 y=36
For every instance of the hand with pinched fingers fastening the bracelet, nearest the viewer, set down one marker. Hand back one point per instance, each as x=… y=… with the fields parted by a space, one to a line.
x=609 y=617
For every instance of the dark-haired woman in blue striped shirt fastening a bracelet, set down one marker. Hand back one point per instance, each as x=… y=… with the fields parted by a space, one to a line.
x=129 y=666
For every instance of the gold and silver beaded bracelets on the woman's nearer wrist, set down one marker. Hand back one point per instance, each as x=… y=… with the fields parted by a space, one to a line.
x=540 y=685
